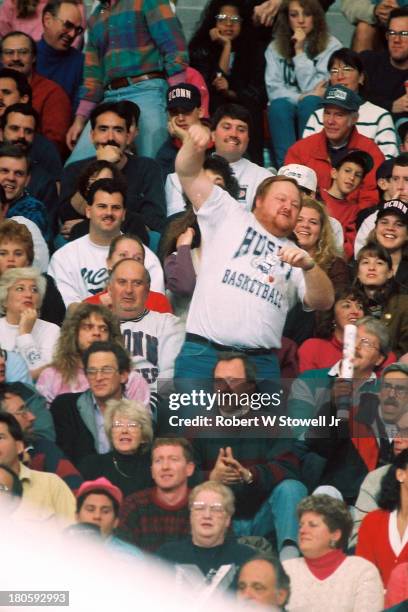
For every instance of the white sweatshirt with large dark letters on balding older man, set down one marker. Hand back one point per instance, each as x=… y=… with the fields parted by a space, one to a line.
x=153 y=340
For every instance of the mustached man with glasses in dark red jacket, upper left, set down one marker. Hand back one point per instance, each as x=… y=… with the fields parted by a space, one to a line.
x=18 y=51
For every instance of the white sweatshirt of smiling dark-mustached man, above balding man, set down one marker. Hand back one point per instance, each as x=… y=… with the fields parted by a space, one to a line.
x=79 y=269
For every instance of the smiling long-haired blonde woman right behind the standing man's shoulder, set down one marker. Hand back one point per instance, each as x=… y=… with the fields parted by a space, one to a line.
x=314 y=234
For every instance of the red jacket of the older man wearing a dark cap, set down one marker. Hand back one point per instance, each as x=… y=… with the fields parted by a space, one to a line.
x=312 y=152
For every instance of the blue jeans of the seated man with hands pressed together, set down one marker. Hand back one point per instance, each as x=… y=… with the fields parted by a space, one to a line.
x=277 y=513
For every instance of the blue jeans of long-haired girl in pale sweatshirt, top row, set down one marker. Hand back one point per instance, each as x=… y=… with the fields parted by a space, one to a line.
x=287 y=120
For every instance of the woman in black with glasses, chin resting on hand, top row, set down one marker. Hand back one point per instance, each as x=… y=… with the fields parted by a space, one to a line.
x=226 y=51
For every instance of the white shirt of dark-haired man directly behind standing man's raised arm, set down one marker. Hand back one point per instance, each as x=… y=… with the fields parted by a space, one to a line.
x=248 y=175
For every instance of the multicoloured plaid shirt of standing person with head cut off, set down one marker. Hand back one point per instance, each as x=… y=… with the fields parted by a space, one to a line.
x=131 y=38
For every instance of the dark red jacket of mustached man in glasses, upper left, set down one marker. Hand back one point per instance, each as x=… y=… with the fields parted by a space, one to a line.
x=54 y=107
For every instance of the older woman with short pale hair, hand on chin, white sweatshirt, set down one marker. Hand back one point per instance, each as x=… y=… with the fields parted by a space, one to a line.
x=21 y=294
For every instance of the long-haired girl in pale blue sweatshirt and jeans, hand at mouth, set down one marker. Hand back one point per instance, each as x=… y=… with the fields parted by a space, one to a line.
x=296 y=71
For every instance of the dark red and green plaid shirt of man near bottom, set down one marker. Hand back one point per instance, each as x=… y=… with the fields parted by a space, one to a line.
x=147 y=523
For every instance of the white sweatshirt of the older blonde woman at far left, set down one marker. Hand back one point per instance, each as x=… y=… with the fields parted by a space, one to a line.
x=36 y=348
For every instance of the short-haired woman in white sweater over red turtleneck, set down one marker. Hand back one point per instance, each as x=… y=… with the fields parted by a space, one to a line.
x=325 y=579
